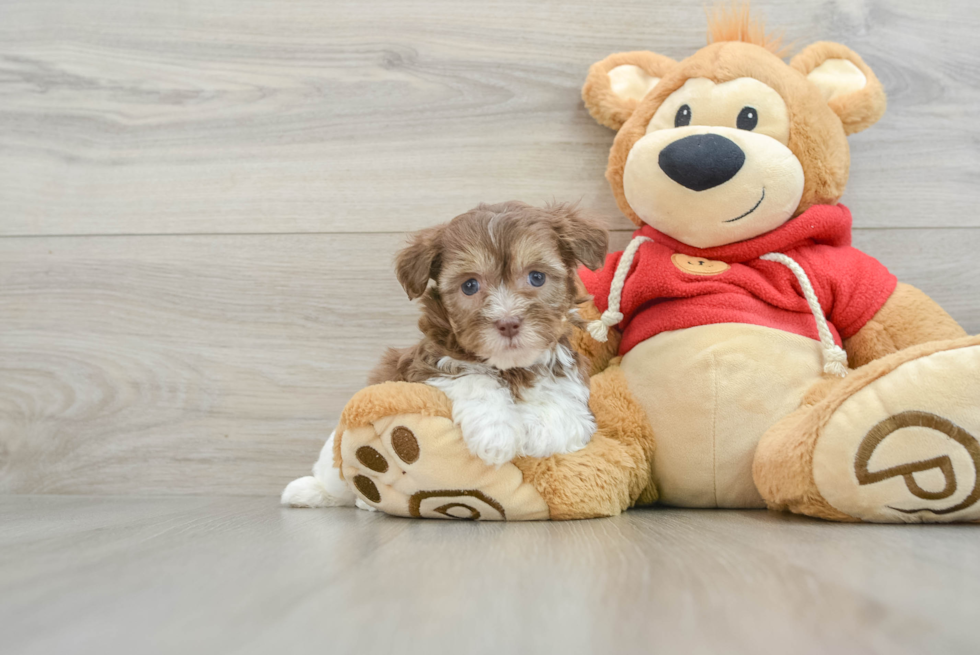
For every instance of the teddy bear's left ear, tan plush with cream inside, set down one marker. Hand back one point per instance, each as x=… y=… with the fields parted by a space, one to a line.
x=616 y=84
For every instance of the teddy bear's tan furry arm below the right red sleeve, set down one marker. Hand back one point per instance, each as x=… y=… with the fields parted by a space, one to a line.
x=909 y=317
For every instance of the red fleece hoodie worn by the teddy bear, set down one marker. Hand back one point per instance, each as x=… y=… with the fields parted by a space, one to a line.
x=662 y=293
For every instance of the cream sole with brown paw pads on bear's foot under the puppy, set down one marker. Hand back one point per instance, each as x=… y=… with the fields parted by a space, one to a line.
x=419 y=466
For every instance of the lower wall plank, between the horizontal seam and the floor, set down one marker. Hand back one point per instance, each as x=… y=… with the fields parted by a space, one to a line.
x=219 y=364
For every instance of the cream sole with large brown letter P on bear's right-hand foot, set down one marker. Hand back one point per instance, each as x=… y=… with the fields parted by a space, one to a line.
x=905 y=447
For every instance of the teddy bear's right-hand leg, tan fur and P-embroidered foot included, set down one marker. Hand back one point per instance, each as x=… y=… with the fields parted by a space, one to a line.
x=897 y=440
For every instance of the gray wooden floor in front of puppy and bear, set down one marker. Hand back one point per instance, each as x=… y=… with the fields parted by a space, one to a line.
x=242 y=576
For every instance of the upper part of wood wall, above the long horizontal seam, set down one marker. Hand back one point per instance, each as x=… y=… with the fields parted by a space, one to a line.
x=304 y=116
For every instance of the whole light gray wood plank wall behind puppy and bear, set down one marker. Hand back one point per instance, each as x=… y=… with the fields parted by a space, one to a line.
x=199 y=201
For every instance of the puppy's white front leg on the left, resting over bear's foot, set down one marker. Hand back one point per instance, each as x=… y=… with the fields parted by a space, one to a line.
x=486 y=414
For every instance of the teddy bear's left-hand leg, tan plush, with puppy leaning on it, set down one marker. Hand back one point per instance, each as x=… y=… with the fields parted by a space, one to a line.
x=401 y=453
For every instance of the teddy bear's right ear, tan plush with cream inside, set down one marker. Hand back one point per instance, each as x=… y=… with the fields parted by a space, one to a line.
x=848 y=85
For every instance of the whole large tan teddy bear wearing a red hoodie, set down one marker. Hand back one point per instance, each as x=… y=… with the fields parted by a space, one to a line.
x=744 y=353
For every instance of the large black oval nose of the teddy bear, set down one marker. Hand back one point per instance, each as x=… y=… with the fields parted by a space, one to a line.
x=701 y=161
